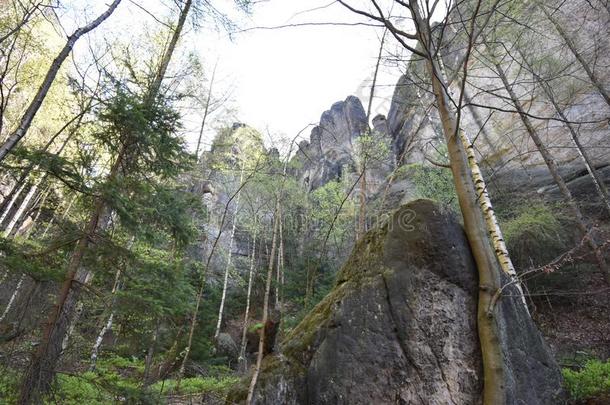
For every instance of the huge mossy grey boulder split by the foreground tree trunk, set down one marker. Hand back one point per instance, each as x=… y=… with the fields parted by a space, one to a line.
x=400 y=327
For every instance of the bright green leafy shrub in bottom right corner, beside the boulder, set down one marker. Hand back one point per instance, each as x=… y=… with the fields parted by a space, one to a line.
x=592 y=380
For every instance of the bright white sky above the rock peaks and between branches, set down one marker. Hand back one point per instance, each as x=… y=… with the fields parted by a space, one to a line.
x=282 y=79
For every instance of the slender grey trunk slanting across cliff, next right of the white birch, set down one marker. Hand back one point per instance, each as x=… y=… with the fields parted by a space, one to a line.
x=554 y=170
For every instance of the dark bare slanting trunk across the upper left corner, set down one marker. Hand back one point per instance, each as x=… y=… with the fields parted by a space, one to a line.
x=28 y=117
